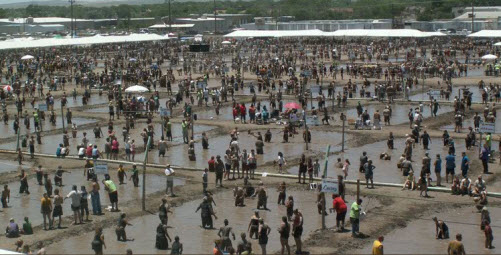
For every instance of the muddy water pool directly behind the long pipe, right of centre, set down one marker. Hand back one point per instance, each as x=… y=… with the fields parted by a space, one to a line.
x=386 y=170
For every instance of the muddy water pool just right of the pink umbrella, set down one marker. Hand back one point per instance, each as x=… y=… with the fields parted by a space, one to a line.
x=399 y=112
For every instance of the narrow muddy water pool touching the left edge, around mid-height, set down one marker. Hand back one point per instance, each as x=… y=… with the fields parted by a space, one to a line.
x=8 y=130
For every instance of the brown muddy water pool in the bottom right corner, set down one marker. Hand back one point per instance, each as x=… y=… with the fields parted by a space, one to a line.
x=419 y=235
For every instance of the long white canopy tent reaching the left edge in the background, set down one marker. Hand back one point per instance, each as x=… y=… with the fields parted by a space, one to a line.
x=30 y=42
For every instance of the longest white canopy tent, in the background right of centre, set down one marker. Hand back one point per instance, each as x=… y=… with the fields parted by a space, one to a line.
x=339 y=33
